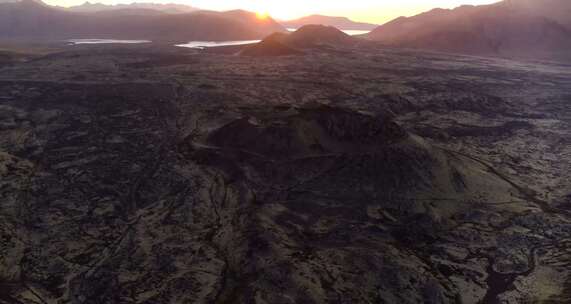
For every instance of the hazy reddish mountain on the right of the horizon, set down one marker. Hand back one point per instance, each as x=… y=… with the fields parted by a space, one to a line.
x=513 y=28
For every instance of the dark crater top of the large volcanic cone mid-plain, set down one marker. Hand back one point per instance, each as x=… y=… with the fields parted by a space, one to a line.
x=311 y=130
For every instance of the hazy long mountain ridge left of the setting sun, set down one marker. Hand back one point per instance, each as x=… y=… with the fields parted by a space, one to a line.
x=29 y=19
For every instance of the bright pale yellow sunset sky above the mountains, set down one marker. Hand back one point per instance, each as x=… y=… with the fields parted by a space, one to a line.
x=374 y=11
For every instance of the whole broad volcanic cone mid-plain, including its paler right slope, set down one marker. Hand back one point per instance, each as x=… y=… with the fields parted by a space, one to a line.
x=373 y=150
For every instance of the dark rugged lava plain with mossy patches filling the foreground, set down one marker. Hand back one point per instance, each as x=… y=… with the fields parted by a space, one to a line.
x=137 y=174
